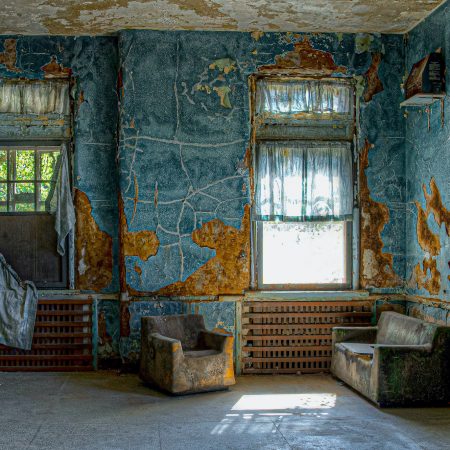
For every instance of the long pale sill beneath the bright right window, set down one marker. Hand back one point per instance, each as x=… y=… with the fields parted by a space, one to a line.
x=308 y=295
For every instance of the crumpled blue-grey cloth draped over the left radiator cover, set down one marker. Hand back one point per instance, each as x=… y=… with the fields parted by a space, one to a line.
x=18 y=304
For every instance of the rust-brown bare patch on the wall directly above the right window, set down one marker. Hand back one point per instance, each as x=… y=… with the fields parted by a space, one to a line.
x=306 y=60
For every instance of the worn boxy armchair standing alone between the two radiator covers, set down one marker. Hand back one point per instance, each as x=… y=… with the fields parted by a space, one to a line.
x=180 y=356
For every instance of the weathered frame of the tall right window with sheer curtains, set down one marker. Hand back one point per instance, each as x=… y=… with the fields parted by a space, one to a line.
x=256 y=226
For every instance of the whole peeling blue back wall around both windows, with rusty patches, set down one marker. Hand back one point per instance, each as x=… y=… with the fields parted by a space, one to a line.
x=184 y=161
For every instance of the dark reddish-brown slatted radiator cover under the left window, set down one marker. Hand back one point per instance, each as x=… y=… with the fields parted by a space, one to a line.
x=62 y=339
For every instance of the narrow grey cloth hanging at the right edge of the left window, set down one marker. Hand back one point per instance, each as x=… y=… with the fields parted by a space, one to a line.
x=61 y=202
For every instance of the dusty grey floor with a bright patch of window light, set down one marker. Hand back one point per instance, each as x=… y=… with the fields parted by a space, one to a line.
x=106 y=411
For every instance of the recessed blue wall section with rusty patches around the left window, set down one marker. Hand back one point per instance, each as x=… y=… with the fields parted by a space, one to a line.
x=93 y=64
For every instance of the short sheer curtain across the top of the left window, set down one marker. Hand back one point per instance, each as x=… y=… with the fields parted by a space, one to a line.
x=35 y=97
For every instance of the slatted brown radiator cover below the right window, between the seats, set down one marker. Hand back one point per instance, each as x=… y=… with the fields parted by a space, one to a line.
x=295 y=336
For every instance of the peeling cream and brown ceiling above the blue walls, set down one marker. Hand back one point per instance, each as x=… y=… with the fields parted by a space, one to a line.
x=77 y=17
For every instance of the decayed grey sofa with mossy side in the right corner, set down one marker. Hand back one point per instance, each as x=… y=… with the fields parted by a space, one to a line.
x=402 y=361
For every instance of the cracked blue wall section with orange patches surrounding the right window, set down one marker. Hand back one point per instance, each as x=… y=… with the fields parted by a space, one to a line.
x=183 y=166
